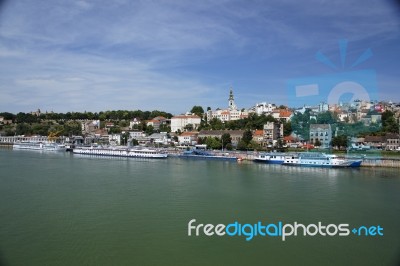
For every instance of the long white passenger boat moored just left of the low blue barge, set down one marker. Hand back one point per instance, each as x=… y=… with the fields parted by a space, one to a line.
x=121 y=151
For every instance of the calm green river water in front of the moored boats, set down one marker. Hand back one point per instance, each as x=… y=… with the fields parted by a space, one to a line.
x=64 y=209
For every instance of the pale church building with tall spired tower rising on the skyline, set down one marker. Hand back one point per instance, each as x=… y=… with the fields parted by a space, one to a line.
x=229 y=114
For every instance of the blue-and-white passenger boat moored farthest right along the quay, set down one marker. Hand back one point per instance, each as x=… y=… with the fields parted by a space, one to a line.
x=319 y=159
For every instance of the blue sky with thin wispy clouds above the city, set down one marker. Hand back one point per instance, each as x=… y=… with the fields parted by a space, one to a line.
x=66 y=56
